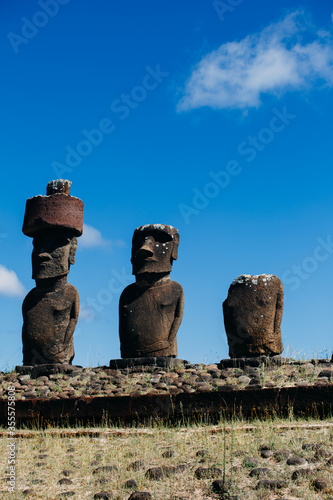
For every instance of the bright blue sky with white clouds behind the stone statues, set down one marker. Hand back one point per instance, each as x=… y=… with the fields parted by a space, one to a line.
x=214 y=117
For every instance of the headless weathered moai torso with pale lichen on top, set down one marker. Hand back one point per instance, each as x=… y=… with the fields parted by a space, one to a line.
x=253 y=314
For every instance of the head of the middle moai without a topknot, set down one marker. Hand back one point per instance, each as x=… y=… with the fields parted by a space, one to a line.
x=154 y=248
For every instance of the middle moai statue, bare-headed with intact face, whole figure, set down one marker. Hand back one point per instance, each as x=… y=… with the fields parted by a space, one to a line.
x=151 y=310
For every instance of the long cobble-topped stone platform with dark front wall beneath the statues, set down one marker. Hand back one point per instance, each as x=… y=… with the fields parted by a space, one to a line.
x=57 y=392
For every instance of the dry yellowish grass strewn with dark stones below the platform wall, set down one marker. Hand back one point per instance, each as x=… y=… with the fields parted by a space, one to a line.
x=227 y=446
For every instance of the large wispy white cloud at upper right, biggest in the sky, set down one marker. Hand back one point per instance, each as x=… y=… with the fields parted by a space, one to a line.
x=272 y=61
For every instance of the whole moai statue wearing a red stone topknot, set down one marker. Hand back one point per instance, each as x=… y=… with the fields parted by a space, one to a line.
x=51 y=309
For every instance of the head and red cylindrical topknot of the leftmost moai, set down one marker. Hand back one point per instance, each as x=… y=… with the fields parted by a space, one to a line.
x=54 y=221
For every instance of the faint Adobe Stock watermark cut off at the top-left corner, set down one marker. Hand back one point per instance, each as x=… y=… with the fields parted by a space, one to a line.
x=30 y=27
